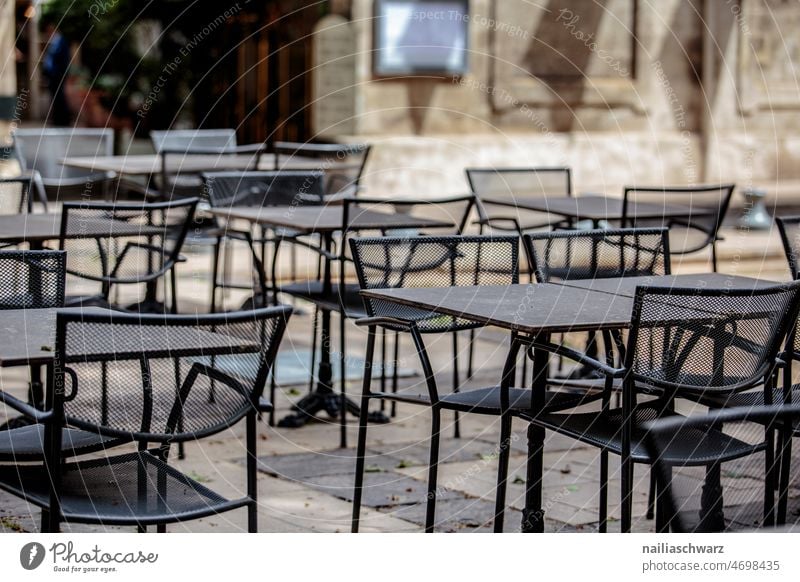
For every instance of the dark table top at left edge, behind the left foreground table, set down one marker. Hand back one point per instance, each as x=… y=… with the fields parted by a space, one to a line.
x=42 y=227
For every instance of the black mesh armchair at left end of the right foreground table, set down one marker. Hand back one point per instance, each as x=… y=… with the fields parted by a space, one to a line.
x=438 y=261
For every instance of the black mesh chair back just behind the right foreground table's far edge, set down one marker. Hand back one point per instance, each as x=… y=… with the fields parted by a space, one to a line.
x=597 y=254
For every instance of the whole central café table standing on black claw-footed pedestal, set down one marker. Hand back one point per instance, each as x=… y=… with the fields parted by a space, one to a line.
x=326 y=221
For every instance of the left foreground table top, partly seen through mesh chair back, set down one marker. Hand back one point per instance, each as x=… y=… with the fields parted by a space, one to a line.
x=29 y=337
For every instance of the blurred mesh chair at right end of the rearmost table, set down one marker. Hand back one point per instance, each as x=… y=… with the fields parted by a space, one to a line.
x=342 y=163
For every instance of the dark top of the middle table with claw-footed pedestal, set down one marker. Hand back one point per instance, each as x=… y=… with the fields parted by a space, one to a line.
x=325 y=218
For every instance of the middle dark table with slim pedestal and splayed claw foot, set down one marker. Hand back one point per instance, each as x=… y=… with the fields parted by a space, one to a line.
x=325 y=221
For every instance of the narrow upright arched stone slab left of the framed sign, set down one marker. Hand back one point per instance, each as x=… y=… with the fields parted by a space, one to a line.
x=334 y=76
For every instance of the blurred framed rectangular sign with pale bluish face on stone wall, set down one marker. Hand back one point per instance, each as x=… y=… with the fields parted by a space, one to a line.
x=413 y=37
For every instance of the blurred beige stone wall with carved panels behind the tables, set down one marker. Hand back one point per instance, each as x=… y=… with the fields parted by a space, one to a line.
x=624 y=91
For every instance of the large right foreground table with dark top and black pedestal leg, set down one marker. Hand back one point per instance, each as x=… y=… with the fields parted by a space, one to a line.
x=538 y=310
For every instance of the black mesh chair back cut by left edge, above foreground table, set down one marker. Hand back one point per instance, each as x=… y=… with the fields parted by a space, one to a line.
x=32 y=279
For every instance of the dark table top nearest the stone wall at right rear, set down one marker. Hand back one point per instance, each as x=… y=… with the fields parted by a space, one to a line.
x=594 y=207
